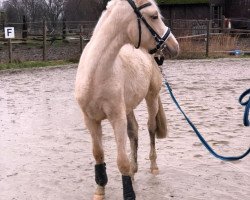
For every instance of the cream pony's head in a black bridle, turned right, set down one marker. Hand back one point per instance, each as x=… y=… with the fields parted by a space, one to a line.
x=146 y=28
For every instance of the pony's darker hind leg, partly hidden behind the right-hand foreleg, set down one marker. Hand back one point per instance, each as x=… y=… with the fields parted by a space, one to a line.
x=133 y=137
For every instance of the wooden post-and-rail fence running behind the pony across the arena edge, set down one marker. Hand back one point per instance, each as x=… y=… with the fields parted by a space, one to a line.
x=65 y=40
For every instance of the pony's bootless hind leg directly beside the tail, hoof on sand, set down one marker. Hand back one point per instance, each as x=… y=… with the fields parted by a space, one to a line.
x=152 y=104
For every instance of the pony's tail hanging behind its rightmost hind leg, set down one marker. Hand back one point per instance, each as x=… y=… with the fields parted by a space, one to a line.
x=161 y=122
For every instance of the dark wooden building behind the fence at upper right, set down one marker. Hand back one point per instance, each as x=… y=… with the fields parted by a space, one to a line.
x=214 y=10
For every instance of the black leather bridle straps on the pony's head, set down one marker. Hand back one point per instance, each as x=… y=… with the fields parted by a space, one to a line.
x=159 y=40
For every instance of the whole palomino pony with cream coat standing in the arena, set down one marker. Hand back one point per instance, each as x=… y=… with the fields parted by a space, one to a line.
x=113 y=78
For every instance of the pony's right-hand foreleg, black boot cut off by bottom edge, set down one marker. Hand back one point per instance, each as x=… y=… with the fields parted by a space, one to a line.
x=118 y=121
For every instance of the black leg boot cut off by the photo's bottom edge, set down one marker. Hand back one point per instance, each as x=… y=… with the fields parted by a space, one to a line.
x=128 y=192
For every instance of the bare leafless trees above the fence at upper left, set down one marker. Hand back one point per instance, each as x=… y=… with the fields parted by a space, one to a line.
x=53 y=10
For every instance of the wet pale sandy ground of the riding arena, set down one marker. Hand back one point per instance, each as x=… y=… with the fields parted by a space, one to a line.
x=45 y=149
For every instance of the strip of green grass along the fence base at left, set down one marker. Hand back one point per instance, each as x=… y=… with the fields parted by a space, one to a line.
x=33 y=64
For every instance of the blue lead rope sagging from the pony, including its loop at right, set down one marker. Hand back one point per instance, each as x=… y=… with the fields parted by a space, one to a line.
x=245 y=119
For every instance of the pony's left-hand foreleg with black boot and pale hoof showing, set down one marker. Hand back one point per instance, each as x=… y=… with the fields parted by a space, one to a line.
x=100 y=167
